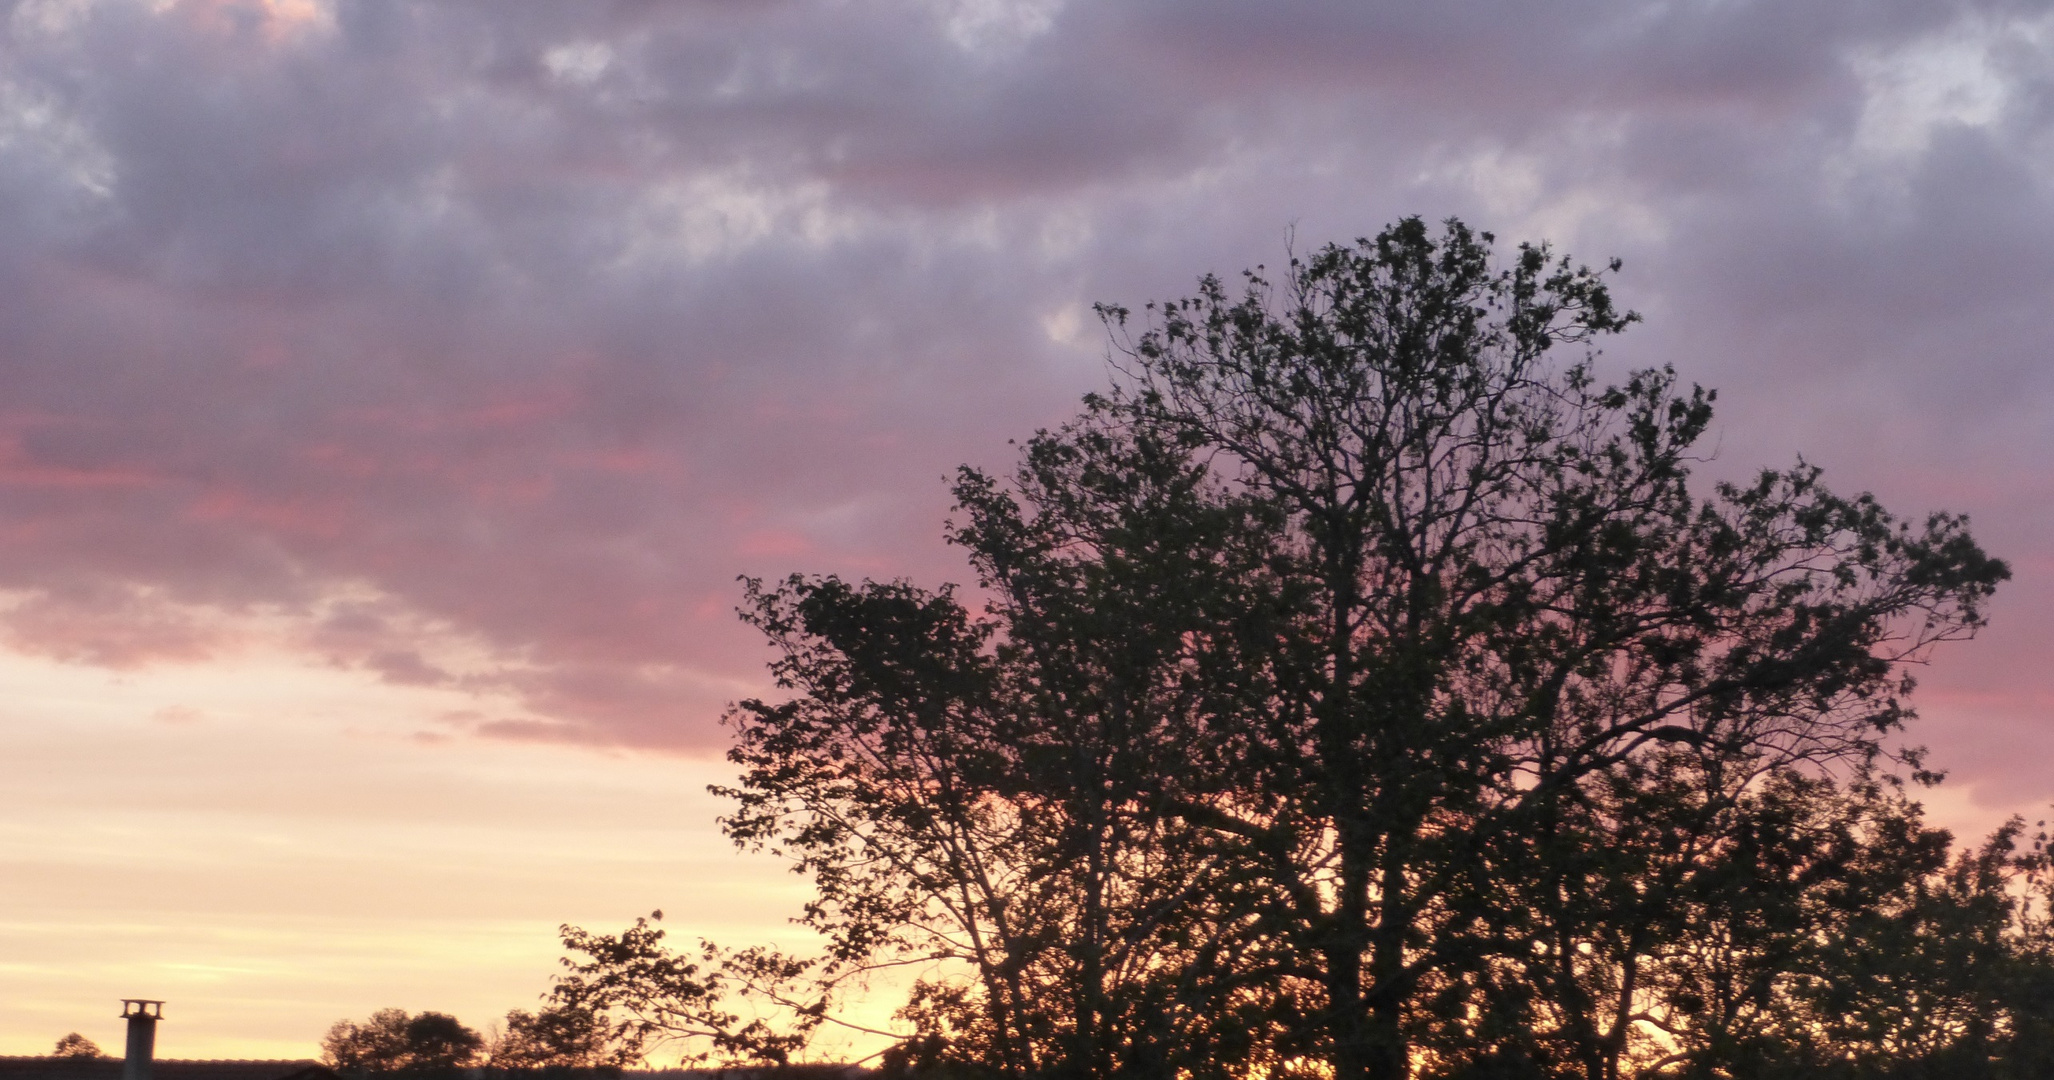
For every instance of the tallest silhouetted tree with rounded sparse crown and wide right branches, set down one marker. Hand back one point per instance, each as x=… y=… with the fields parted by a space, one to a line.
x=1505 y=590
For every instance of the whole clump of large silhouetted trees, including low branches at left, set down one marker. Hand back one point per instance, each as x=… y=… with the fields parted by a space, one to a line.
x=1359 y=693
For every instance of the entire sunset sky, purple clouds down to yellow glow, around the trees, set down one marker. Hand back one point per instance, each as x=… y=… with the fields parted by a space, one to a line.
x=393 y=393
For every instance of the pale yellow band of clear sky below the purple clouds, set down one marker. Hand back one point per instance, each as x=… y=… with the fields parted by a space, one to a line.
x=266 y=845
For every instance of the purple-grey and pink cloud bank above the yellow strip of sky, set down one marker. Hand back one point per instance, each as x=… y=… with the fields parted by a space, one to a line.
x=539 y=323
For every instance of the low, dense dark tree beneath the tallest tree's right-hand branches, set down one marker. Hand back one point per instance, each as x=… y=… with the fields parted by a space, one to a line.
x=1784 y=927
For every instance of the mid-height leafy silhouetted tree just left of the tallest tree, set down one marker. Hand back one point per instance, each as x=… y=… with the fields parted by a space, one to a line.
x=993 y=810
